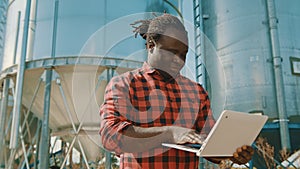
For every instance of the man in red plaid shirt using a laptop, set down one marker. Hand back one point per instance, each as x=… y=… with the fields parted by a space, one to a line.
x=155 y=104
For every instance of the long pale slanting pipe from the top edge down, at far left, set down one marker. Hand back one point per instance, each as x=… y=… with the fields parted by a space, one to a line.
x=20 y=81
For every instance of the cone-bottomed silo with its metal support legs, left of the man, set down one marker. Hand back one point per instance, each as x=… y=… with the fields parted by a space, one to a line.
x=58 y=57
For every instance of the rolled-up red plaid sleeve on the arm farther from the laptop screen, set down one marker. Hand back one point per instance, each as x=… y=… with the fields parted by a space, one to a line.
x=113 y=114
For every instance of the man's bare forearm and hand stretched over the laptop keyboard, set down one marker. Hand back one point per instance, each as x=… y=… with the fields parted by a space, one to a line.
x=139 y=139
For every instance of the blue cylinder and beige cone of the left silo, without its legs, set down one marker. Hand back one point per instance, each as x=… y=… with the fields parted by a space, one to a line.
x=84 y=43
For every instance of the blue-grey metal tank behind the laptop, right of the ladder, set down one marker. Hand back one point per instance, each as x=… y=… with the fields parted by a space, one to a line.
x=239 y=31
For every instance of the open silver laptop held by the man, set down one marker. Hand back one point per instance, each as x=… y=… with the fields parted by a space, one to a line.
x=231 y=131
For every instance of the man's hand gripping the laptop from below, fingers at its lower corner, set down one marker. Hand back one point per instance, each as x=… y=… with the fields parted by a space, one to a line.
x=242 y=155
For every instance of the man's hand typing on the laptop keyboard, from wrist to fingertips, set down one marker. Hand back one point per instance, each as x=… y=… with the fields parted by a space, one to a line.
x=181 y=135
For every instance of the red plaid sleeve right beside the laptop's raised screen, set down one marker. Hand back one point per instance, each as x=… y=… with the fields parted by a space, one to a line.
x=205 y=120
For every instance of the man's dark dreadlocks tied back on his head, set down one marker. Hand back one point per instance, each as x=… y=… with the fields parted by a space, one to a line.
x=152 y=29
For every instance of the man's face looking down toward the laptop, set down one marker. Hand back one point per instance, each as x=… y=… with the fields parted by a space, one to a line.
x=169 y=52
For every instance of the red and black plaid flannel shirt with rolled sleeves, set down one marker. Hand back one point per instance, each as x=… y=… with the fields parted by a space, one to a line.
x=143 y=98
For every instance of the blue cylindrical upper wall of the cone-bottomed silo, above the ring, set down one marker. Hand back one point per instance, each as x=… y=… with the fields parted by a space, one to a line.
x=77 y=22
